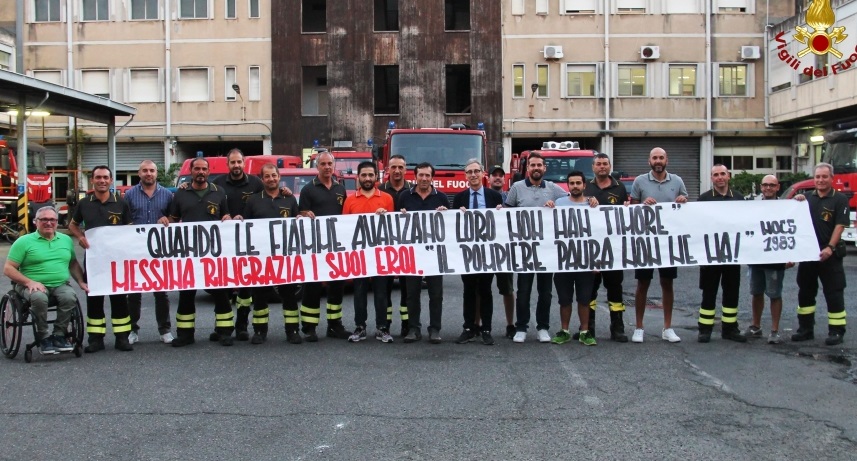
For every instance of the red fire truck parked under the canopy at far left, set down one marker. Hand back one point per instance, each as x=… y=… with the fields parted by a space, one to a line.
x=39 y=184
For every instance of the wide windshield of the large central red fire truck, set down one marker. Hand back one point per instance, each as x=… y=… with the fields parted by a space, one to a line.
x=445 y=151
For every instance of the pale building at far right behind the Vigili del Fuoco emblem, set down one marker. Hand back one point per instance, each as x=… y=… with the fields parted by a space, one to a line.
x=812 y=93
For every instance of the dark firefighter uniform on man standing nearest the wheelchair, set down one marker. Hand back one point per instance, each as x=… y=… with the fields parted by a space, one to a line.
x=92 y=213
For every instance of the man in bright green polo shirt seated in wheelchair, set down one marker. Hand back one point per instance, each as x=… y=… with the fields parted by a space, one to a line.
x=39 y=265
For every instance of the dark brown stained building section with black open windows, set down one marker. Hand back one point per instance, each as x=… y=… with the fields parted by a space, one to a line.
x=344 y=70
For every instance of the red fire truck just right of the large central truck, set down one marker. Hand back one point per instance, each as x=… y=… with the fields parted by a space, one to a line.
x=560 y=158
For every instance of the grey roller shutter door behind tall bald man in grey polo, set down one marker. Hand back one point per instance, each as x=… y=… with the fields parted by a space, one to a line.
x=631 y=156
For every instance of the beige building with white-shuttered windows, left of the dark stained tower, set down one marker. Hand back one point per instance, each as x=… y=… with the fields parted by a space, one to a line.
x=176 y=61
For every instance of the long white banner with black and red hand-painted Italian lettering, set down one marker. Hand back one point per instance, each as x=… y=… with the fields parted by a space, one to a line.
x=124 y=259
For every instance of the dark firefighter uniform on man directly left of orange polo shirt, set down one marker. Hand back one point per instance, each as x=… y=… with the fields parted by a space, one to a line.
x=316 y=197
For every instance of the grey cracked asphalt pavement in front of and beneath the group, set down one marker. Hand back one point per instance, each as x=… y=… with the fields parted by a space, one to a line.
x=336 y=400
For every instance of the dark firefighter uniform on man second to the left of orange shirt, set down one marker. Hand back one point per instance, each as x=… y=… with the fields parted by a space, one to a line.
x=263 y=206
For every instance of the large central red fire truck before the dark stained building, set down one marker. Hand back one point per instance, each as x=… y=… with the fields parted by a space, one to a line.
x=447 y=149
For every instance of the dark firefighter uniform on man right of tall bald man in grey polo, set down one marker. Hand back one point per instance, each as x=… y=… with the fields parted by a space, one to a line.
x=725 y=276
